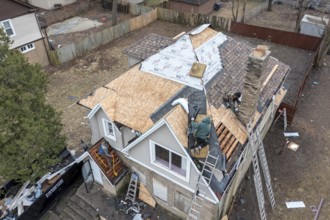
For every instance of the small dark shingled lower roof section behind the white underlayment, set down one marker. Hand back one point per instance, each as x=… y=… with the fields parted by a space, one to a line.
x=147 y=46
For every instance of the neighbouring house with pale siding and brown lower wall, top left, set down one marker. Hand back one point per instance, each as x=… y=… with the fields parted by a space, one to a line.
x=20 y=24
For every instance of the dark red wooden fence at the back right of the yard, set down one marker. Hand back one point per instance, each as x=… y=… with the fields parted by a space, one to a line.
x=291 y=39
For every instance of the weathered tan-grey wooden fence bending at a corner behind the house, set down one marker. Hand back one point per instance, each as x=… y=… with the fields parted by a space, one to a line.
x=145 y=15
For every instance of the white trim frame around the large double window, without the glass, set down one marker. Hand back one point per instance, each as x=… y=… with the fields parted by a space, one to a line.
x=155 y=163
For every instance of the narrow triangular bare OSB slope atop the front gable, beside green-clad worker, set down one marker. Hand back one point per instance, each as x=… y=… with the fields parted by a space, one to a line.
x=178 y=120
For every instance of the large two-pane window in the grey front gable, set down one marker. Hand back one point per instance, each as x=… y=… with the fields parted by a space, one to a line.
x=169 y=160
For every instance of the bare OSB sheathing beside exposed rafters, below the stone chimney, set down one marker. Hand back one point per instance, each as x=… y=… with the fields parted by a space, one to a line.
x=230 y=121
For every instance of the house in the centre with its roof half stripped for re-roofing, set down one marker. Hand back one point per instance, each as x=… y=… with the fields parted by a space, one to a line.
x=134 y=113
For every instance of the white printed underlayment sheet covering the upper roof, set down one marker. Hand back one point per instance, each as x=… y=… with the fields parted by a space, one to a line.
x=175 y=61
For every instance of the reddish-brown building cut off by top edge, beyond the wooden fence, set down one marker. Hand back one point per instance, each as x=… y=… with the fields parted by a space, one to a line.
x=192 y=6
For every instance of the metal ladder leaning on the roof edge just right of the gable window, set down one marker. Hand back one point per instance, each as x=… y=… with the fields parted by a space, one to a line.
x=202 y=186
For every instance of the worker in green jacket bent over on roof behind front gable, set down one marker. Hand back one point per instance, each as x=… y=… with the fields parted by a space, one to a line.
x=201 y=132
